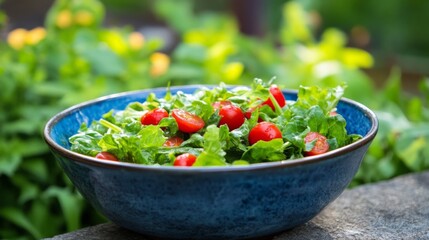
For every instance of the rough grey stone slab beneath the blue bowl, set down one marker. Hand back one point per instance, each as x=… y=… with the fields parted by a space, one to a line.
x=395 y=209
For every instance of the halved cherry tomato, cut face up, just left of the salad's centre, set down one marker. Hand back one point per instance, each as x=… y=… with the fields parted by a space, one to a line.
x=187 y=122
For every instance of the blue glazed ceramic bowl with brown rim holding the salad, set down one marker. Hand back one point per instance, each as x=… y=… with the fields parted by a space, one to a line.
x=208 y=202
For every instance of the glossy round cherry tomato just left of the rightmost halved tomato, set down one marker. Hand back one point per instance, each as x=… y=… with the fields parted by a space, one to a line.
x=264 y=131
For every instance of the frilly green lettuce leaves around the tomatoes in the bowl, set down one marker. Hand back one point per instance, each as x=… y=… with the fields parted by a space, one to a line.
x=122 y=134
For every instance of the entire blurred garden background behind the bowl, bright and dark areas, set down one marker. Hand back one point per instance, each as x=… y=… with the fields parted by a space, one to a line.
x=54 y=54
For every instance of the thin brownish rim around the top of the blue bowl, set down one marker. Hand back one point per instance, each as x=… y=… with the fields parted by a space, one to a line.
x=80 y=158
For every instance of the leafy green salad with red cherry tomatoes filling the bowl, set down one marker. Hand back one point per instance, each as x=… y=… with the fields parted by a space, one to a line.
x=220 y=126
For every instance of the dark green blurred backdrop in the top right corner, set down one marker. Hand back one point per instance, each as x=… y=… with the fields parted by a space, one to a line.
x=395 y=26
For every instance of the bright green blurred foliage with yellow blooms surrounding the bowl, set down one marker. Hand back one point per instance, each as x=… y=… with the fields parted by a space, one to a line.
x=74 y=58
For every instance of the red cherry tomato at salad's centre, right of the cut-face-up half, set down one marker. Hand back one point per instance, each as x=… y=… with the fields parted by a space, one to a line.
x=230 y=114
